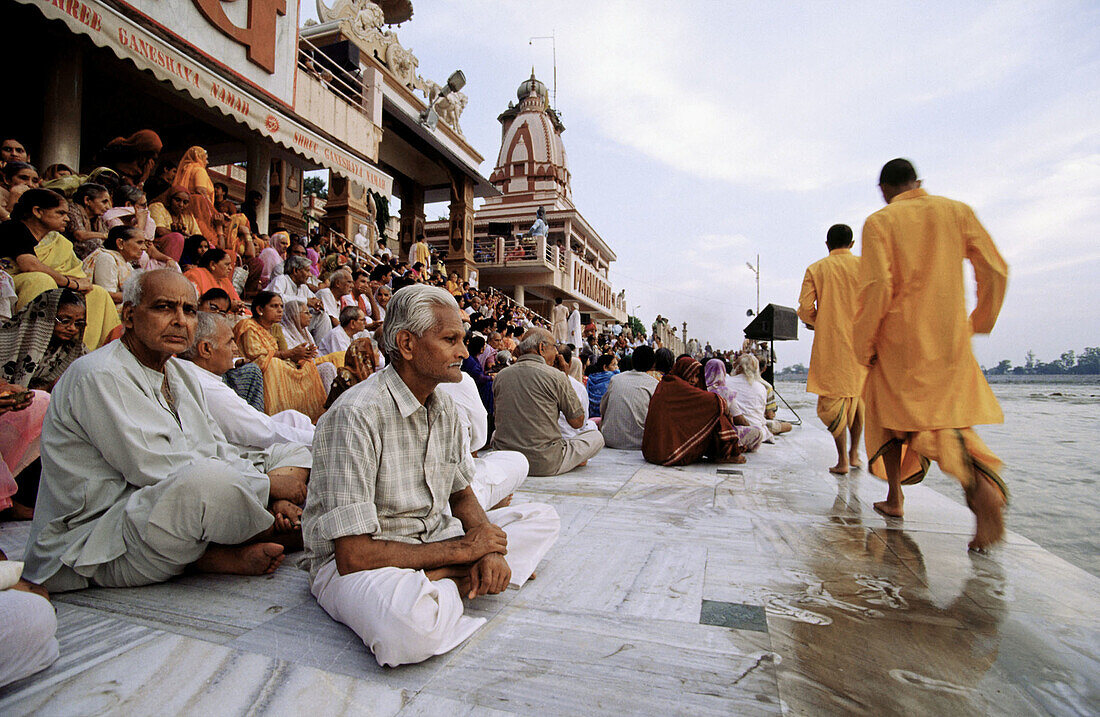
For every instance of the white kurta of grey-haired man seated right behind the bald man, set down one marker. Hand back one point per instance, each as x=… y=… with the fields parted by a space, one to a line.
x=244 y=425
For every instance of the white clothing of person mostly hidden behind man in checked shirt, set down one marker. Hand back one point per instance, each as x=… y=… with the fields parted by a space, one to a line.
x=498 y=475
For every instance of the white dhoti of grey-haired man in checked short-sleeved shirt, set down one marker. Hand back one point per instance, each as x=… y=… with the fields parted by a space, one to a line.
x=404 y=617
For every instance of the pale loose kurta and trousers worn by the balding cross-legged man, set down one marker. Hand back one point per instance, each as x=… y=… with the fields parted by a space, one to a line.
x=113 y=448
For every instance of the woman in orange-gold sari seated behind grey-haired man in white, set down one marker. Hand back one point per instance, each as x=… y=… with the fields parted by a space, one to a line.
x=291 y=374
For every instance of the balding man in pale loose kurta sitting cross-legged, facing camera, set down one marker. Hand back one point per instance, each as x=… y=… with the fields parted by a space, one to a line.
x=138 y=483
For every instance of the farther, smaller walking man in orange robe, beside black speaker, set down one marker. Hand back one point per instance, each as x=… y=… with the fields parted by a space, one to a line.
x=828 y=306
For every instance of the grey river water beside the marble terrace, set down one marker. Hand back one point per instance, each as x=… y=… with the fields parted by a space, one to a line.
x=1049 y=444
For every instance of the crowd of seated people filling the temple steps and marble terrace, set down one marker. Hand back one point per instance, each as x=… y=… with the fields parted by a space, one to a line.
x=182 y=392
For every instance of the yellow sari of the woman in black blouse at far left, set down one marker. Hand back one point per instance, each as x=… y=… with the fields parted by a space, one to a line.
x=57 y=252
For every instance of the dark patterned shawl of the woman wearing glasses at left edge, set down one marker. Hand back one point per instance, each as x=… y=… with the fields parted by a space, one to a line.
x=27 y=348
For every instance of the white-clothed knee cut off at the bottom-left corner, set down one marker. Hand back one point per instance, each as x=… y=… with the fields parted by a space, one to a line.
x=28 y=625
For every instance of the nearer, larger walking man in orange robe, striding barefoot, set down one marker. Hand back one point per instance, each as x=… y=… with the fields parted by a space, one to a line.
x=925 y=389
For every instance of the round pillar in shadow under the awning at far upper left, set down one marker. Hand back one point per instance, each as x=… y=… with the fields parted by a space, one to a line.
x=63 y=109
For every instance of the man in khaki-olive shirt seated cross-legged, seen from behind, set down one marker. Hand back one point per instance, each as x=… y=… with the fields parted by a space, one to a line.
x=529 y=396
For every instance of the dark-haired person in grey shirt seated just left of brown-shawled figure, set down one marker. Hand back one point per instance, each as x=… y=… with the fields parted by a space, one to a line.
x=626 y=403
